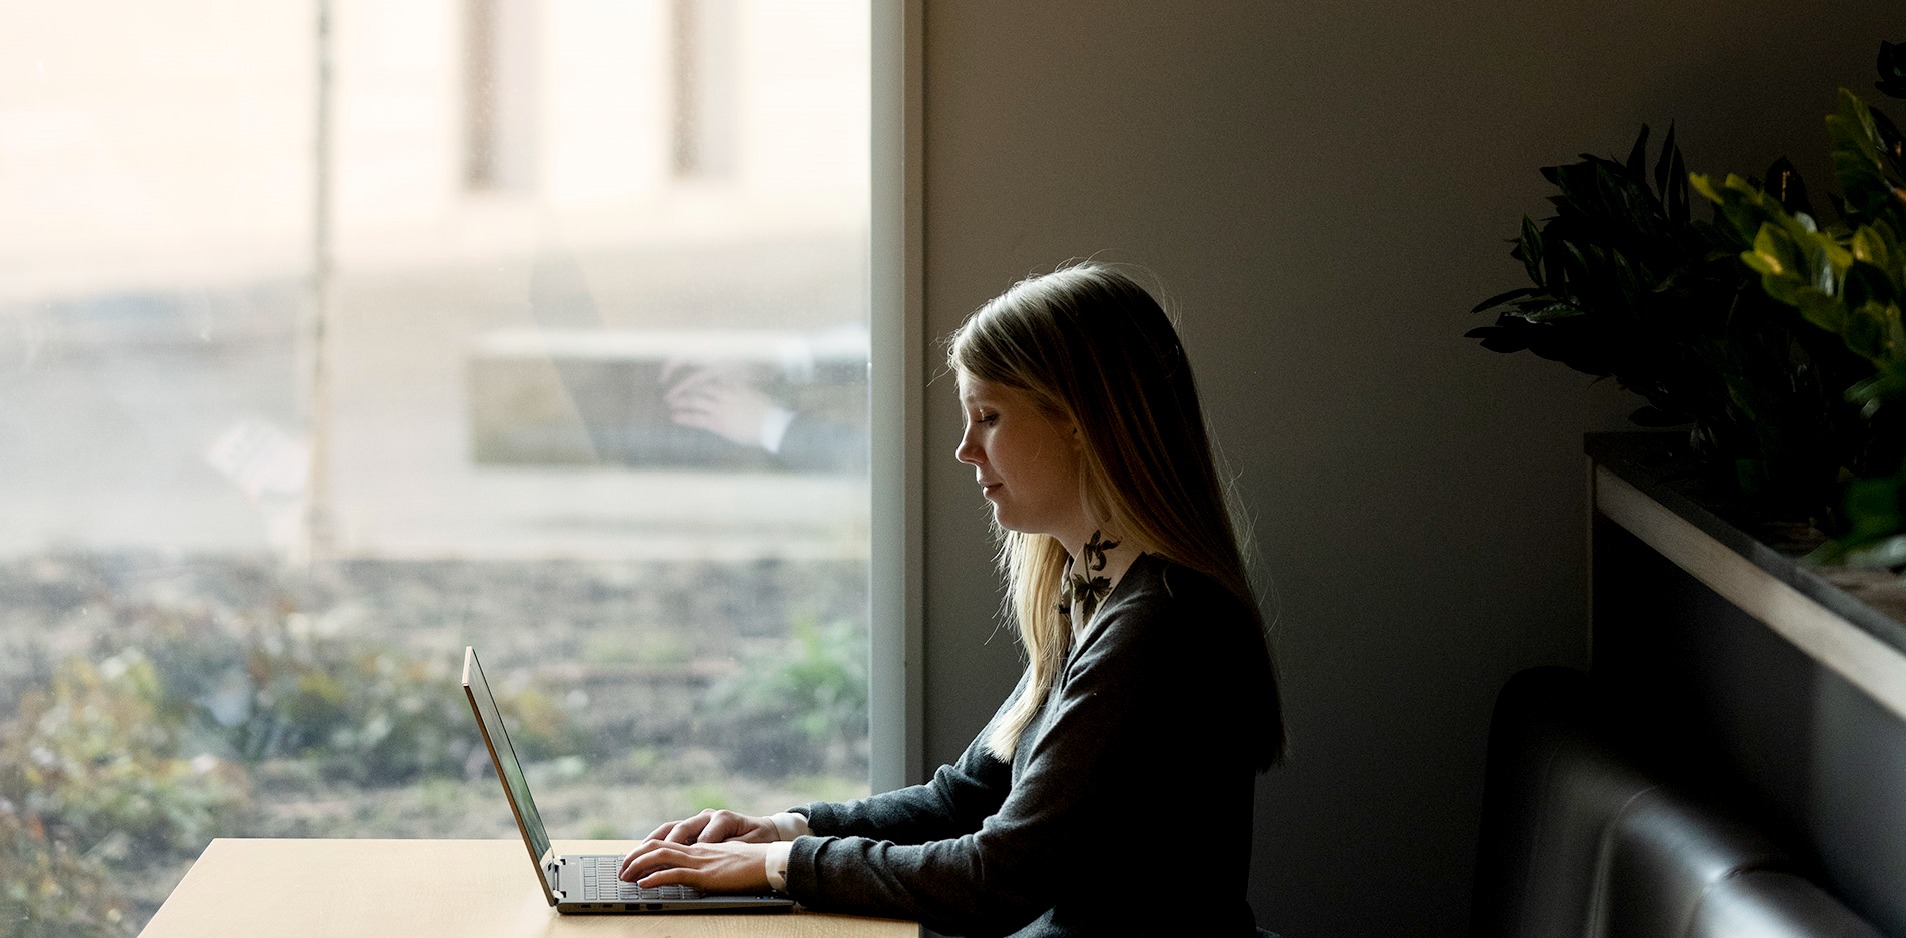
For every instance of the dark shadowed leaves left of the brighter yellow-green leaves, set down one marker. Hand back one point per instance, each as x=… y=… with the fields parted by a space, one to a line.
x=1629 y=285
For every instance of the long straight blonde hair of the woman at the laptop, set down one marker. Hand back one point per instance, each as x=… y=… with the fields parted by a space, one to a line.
x=1091 y=346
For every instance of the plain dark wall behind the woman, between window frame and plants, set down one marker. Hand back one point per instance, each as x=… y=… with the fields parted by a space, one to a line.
x=1326 y=192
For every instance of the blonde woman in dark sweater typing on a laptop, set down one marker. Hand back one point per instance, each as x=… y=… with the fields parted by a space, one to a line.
x=1085 y=436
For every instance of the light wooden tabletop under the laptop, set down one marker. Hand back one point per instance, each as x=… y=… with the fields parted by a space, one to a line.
x=466 y=889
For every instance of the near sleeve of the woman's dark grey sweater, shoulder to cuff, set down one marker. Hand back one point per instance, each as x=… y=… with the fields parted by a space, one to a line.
x=1000 y=874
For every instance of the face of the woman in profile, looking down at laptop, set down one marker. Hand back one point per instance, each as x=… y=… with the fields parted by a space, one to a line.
x=1026 y=462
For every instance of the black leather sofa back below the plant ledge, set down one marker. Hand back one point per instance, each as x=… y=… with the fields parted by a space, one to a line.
x=1581 y=842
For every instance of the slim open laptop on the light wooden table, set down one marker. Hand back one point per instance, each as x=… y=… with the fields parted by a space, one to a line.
x=582 y=886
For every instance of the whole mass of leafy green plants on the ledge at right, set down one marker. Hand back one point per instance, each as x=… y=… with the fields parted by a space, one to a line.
x=1775 y=338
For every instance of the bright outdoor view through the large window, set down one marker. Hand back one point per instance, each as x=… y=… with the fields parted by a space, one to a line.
x=340 y=335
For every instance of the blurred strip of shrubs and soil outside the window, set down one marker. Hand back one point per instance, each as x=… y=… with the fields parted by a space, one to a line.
x=157 y=703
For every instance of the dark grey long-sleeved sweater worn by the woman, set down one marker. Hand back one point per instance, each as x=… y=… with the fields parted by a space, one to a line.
x=1114 y=786
